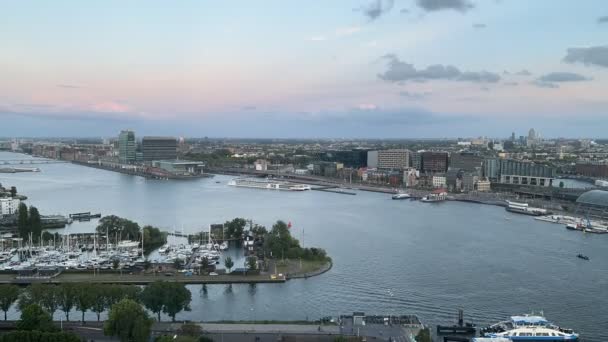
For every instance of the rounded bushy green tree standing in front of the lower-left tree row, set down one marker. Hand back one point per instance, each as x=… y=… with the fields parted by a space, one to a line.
x=128 y=321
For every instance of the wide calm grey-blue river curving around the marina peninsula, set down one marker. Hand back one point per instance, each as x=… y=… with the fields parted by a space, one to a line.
x=389 y=256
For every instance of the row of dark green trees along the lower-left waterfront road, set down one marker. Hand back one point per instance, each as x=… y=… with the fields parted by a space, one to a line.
x=167 y=297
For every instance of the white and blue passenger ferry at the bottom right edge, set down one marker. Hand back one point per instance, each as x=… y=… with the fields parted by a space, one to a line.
x=530 y=328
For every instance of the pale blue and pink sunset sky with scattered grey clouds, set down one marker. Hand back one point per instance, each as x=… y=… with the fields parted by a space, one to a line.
x=313 y=69
